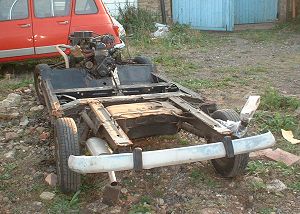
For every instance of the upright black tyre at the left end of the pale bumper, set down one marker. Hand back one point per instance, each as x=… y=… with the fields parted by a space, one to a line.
x=66 y=144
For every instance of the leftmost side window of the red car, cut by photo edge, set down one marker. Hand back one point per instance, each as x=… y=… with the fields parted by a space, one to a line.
x=13 y=9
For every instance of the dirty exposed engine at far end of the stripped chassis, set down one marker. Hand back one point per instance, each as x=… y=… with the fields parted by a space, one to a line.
x=93 y=53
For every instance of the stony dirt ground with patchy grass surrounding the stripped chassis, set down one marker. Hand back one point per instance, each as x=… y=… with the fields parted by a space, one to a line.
x=232 y=67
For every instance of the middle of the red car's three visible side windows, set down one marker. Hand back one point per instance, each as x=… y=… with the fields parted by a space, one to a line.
x=51 y=8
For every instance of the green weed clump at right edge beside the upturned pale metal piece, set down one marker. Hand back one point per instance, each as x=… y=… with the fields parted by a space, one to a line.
x=272 y=100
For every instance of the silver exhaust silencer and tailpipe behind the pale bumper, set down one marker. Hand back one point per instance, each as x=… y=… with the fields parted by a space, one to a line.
x=97 y=146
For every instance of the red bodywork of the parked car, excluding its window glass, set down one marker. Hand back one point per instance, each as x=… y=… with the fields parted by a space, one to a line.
x=35 y=36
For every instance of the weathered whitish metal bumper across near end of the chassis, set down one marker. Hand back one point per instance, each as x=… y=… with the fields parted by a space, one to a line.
x=168 y=157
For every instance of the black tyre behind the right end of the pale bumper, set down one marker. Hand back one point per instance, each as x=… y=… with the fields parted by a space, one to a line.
x=229 y=167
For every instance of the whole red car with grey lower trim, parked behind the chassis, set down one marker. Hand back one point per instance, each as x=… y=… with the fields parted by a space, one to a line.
x=30 y=28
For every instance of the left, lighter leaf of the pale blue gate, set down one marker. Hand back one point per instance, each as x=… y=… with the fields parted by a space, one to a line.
x=205 y=14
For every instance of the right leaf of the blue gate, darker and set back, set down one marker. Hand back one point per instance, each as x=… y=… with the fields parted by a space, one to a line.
x=255 y=11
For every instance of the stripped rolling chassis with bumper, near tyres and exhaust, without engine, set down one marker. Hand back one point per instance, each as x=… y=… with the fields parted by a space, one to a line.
x=105 y=120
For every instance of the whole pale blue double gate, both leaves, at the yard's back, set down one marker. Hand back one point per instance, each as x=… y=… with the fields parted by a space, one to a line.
x=223 y=14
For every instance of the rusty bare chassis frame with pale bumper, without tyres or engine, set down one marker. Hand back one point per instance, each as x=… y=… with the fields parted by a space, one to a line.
x=90 y=109
